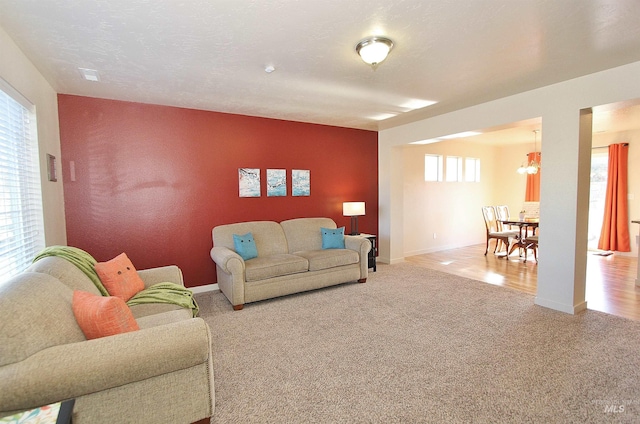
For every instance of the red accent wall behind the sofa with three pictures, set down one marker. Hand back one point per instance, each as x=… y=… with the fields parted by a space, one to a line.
x=152 y=181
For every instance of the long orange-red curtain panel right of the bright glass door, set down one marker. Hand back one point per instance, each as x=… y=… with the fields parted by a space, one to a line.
x=615 y=225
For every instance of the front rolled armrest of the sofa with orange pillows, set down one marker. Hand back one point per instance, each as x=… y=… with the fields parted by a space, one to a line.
x=75 y=369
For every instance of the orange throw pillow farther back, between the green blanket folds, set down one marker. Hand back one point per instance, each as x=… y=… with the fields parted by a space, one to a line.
x=119 y=277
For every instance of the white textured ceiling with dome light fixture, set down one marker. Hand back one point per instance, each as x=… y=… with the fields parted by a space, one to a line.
x=211 y=54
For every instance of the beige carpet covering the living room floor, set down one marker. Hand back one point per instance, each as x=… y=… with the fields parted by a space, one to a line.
x=414 y=345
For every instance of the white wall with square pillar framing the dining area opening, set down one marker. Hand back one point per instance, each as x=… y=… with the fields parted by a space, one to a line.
x=564 y=182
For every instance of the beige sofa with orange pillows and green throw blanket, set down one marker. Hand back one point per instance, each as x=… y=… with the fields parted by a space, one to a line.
x=162 y=373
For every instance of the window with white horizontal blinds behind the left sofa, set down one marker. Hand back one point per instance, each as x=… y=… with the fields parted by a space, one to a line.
x=21 y=220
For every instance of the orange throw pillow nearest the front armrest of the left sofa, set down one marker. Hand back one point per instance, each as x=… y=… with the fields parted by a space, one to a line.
x=101 y=316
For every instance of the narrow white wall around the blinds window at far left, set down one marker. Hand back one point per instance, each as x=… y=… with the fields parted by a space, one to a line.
x=20 y=73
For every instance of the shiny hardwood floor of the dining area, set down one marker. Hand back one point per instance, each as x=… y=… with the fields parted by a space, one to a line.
x=610 y=284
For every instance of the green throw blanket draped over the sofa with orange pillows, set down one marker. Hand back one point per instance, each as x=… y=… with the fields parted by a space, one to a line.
x=157 y=293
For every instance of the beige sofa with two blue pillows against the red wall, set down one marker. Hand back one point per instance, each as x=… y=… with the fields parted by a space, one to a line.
x=290 y=259
